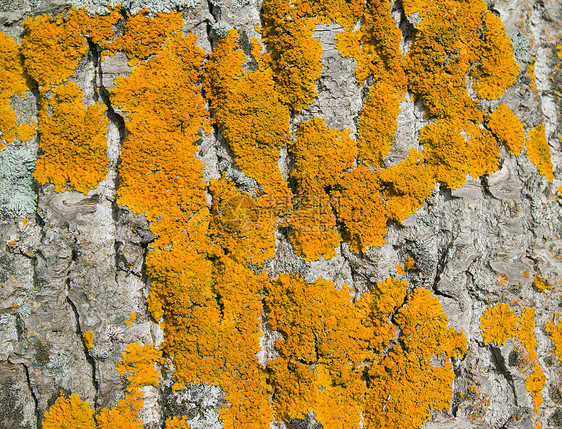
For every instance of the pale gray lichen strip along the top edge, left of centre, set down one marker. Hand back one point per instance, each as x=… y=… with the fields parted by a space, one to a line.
x=102 y=7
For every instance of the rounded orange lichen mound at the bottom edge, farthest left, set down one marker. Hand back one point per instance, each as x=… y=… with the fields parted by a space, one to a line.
x=69 y=413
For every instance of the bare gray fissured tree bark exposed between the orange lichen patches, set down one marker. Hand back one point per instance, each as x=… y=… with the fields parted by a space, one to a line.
x=77 y=264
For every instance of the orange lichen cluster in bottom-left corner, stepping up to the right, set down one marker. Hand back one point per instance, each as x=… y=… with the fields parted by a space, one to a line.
x=73 y=413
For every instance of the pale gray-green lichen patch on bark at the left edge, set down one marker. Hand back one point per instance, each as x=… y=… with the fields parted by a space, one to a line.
x=18 y=196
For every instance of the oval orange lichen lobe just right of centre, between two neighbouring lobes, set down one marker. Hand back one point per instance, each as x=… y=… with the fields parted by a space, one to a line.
x=360 y=209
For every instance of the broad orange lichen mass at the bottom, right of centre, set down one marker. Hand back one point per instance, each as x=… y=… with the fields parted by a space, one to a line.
x=316 y=371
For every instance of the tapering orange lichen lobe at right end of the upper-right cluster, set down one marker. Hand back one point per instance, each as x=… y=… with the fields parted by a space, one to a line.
x=497 y=69
